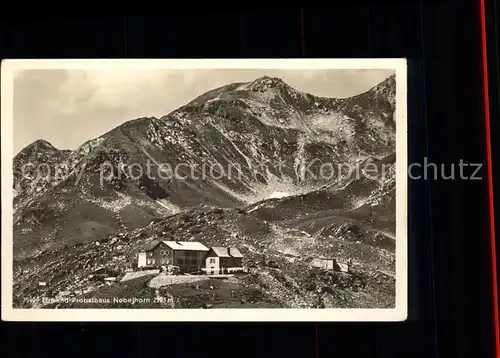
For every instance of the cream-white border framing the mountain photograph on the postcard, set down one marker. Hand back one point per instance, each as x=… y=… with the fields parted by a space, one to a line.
x=399 y=313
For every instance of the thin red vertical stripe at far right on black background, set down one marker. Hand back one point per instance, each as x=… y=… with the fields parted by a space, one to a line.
x=490 y=178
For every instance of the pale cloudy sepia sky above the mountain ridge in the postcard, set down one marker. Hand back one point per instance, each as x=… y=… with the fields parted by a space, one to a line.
x=69 y=107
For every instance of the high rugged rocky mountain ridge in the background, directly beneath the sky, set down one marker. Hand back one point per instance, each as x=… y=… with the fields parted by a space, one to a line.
x=230 y=131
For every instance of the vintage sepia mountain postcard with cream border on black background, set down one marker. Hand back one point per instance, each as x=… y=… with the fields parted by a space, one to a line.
x=204 y=190
